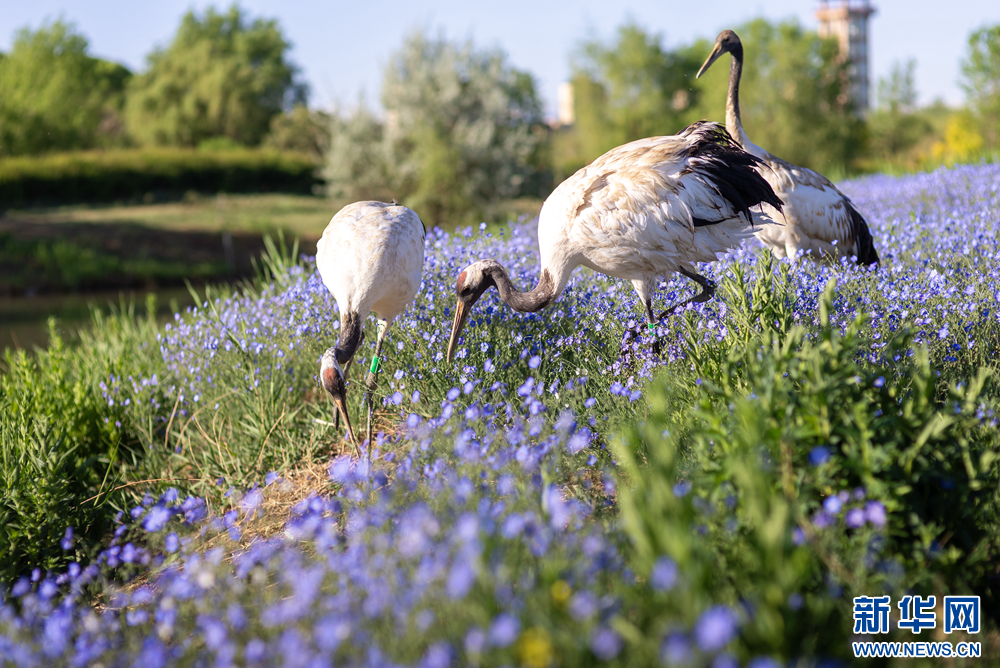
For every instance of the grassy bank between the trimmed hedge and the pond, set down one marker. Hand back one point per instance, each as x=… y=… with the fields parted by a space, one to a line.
x=200 y=239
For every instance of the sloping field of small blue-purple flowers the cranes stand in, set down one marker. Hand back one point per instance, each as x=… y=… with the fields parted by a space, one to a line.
x=557 y=496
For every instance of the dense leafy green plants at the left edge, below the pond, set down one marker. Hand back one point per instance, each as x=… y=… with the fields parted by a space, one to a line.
x=65 y=447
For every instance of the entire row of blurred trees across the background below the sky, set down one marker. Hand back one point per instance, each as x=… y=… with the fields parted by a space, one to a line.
x=459 y=133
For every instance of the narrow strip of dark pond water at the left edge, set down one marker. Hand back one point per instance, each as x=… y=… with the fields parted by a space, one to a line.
x=24 y=320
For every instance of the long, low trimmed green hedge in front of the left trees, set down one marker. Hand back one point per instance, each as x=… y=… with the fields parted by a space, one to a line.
x=96 y=176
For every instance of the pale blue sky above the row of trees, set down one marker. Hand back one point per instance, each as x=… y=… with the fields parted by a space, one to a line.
x=343 y=46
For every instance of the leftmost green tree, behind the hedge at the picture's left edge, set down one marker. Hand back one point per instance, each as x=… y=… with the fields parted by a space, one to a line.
x=54 y=96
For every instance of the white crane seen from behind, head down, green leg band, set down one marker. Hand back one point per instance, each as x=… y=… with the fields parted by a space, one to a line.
x=370 y=258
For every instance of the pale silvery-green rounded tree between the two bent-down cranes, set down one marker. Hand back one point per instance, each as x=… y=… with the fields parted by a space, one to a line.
x=463 y=131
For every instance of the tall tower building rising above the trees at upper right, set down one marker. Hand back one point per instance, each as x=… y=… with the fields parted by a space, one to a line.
x=848 y=22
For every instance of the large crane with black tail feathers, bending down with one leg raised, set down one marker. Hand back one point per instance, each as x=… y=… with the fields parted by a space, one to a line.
x=638 y=212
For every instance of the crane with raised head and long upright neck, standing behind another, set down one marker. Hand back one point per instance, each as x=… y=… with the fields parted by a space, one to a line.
x=817 y=216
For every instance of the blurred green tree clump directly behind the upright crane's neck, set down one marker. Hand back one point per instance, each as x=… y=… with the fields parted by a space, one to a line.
x=793 y=94
